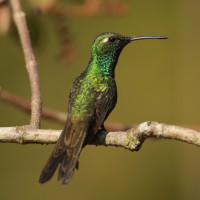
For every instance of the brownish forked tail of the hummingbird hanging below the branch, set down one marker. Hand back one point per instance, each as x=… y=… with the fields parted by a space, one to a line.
x=66 y=152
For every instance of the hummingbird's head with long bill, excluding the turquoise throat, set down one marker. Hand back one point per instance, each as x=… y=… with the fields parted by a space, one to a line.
x=111 y=44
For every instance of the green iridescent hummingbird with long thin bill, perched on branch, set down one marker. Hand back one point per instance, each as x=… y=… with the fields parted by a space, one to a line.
x=92 y=97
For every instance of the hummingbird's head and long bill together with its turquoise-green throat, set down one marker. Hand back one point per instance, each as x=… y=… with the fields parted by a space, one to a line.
x=107 y=47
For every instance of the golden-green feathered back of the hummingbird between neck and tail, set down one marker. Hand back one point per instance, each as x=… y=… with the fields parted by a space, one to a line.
x=84 y=92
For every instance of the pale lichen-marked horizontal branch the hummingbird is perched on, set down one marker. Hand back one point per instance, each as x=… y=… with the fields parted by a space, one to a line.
x=131 y=139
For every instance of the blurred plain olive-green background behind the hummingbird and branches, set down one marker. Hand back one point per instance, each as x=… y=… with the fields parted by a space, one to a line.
x=157 y=80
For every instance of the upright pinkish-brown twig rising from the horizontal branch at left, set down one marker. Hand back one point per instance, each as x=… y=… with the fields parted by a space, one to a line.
x=31 y=65
